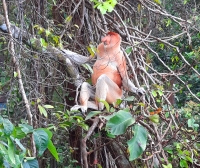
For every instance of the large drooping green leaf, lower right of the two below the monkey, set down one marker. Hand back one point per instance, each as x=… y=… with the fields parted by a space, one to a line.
x=138 y=143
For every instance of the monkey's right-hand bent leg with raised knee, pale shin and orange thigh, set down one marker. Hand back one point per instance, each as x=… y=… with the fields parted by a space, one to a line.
x=107 y=90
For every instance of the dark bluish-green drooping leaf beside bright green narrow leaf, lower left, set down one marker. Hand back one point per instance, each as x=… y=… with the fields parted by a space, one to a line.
x=41 y=140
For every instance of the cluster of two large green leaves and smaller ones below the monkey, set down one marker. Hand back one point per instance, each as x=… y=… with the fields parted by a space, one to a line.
x=118 y=123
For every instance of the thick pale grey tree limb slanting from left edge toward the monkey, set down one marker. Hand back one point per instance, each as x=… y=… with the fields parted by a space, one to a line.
x=67 y=56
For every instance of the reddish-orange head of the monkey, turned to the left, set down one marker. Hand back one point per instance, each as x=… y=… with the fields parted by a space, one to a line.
x=111 y=39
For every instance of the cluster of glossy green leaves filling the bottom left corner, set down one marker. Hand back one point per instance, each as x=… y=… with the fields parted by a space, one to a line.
x=13 y=153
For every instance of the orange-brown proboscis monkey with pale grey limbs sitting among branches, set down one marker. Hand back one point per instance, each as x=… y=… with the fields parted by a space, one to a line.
x=109 y=75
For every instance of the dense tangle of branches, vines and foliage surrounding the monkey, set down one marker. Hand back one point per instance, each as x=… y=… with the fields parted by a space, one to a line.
x=38 y=84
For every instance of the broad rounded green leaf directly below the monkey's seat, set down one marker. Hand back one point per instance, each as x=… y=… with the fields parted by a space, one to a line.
x=120 y=122
